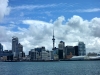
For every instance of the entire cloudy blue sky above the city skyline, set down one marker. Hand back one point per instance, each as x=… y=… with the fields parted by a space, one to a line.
x=33 y=21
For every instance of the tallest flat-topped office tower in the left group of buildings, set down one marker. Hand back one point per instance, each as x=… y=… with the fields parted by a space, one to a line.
x=15 y=46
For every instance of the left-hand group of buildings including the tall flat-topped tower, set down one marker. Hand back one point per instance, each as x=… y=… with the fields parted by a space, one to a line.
x=15 y=54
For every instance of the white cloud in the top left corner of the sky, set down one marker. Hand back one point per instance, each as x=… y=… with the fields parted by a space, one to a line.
x=4 y=9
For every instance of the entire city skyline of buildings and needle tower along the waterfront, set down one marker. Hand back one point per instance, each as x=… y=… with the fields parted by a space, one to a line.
x=61 y=52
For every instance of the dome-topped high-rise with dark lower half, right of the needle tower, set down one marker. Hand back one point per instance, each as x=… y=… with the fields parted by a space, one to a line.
x=61 y=50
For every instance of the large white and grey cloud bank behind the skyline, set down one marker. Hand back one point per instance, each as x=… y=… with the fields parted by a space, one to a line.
x=39 y=33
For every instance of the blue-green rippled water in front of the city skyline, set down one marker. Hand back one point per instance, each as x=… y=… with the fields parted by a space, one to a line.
x=50 y=68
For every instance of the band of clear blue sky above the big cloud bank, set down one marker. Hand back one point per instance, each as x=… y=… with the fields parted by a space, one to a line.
x=46 y=10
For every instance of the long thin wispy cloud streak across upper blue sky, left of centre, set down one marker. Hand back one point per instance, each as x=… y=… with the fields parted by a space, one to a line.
x=30 y=7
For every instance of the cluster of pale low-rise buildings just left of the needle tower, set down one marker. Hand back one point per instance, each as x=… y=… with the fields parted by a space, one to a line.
x=40 y=54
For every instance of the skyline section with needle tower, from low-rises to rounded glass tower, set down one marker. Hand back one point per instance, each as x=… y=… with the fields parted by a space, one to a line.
x=61 y=53
